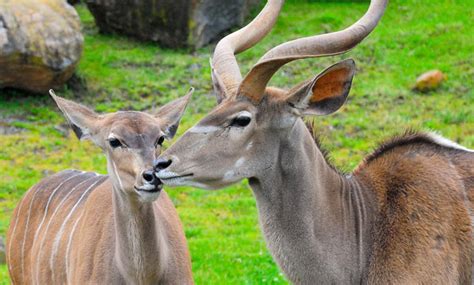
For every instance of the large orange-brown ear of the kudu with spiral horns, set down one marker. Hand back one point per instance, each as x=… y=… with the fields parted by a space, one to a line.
x=326 y=93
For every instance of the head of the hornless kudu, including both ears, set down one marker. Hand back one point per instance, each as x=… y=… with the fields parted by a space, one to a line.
x=130 y=140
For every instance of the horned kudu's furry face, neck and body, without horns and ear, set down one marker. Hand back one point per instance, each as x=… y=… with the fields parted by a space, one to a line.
x=404 y=217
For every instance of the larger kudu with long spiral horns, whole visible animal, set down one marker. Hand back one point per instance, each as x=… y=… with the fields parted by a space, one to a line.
x=403 y=217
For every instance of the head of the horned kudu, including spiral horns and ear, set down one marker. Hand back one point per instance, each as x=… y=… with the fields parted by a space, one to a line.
x=241 y=137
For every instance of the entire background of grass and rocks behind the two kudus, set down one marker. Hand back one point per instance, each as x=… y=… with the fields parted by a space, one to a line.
x=416 y=70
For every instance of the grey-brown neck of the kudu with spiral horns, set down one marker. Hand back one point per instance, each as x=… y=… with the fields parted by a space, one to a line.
x=312 y=215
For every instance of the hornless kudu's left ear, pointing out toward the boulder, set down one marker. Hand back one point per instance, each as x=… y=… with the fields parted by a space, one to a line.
x=83 y=121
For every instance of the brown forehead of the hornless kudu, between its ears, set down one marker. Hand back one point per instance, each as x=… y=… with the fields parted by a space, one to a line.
x=135 y=128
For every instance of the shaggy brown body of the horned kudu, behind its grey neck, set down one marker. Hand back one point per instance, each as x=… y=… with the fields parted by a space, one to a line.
x=424 y=212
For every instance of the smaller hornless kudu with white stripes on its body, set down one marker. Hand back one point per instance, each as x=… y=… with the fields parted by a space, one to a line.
x=78 y=227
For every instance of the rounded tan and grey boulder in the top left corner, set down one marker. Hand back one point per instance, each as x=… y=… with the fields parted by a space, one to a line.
x=40 y=43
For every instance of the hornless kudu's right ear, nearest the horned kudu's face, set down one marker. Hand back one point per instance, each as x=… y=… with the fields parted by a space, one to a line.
x=172 y=112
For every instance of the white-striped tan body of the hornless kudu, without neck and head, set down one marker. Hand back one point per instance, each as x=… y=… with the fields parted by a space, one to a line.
x=90 y=257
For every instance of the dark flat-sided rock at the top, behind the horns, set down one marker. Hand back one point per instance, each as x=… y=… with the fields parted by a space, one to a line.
x=172 y=23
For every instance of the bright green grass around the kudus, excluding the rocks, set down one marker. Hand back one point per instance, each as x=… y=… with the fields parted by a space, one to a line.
x=222 y=227
